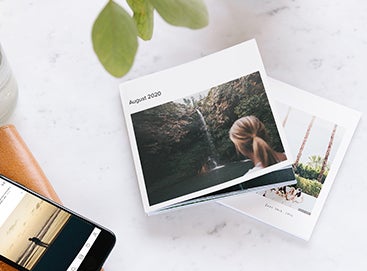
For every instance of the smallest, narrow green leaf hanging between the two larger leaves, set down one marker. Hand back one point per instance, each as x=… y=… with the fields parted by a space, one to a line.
x=143 y=16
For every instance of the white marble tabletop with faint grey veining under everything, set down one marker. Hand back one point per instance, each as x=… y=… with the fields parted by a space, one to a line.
x=70 y=115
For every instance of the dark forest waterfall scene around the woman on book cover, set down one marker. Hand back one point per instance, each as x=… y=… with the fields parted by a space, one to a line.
x=185 y=145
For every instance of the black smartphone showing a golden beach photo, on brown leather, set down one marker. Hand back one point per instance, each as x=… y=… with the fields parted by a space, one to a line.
x=37 y=234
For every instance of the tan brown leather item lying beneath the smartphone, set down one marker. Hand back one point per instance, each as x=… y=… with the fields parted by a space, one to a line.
x=18 y=164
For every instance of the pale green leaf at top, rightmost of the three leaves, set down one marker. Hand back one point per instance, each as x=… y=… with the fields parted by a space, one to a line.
x=188 y=13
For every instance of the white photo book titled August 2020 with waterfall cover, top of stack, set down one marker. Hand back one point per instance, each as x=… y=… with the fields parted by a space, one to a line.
x=206 y=129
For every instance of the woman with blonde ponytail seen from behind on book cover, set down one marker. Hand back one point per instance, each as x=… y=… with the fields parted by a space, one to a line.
x=250 y=138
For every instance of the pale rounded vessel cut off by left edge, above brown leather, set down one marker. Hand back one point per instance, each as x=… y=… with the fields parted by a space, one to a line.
x=8 y=89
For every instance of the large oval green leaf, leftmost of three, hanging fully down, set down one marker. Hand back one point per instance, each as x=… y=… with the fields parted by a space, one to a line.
x=114 y=37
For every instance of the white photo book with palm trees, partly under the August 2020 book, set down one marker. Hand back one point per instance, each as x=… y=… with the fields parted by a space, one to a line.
x=318 y=132
